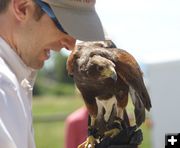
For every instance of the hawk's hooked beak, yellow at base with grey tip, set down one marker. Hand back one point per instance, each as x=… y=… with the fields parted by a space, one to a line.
x=109 y=73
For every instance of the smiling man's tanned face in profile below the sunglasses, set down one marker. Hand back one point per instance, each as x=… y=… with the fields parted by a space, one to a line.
x=38 y=37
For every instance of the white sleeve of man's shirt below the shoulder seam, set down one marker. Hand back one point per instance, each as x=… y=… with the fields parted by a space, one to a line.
x=13 y=129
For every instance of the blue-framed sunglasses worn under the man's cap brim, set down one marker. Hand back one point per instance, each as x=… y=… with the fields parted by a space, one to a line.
x=47 y=9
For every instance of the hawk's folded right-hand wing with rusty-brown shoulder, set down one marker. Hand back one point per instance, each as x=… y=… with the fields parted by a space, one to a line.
x=128 y=69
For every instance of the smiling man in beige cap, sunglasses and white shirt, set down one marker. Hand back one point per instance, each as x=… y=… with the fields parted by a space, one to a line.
x=29 y=29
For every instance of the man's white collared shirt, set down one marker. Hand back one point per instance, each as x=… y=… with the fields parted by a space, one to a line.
x=16 y=83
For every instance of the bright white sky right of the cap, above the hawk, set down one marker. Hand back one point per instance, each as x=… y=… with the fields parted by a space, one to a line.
x=149 y=29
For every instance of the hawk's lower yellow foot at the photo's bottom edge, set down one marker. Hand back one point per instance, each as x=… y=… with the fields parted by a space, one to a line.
x=89 y=143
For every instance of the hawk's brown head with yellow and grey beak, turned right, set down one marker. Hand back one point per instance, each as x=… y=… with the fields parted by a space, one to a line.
x=100 y=68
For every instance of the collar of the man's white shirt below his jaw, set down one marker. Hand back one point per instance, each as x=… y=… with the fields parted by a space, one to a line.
x=22 y=71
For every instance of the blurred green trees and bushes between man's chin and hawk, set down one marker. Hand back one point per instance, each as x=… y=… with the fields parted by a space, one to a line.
x=53 y=78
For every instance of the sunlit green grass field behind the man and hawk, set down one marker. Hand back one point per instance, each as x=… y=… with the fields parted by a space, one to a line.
x=50 y=134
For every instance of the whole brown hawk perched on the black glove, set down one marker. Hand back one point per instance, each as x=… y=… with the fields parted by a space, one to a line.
x=102 y=72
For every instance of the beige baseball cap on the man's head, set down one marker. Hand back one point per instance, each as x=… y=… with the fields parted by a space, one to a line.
x=78 y=18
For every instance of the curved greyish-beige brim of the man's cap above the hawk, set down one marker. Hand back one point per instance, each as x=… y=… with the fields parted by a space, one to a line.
x=82 y=25
